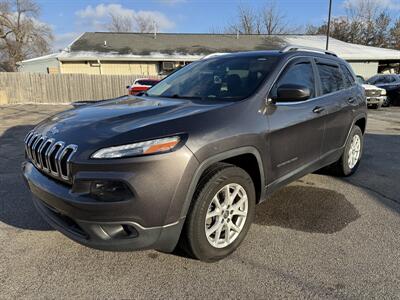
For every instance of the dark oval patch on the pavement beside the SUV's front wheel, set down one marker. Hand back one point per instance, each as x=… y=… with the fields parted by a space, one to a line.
x=307 y=208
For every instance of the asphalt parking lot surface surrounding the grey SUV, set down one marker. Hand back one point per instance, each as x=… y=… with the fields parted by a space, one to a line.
x=320 y=237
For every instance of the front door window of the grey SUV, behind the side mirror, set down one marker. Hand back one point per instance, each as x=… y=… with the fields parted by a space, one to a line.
x=299 y=73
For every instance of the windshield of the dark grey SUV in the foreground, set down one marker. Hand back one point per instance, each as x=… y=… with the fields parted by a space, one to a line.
x=226 y=78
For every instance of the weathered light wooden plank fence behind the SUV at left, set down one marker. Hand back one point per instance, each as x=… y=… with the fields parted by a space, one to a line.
x=61 y=88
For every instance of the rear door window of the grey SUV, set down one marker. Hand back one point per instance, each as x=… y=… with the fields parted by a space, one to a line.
x=331 y=78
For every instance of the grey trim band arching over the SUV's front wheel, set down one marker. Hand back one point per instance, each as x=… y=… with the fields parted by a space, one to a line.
x=216 y=158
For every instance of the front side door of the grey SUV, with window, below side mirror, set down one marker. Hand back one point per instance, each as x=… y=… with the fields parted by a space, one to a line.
x=296 y=128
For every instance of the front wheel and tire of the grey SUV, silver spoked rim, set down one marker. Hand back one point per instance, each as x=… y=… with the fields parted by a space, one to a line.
x=220 y=180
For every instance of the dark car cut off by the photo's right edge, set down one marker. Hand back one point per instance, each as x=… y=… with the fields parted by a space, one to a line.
x=389 y=82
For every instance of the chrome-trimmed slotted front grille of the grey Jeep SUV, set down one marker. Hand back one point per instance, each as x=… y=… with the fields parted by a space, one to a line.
x=51 y=156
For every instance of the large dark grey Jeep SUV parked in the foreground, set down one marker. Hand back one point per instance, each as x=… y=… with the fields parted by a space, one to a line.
x=186 y=163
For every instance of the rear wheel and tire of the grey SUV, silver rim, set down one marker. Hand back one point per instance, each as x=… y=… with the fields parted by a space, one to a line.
x=351 y=157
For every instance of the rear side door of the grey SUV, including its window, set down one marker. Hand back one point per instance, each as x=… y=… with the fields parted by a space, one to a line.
x=338 y=98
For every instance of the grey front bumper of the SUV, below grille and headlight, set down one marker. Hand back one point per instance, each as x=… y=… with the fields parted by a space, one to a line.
x=138 y=223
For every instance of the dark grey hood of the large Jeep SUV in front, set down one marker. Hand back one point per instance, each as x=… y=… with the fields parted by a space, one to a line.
x=121 y=120
